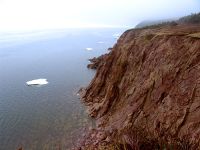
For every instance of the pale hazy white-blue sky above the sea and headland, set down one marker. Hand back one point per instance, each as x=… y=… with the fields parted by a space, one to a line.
x=46 y=14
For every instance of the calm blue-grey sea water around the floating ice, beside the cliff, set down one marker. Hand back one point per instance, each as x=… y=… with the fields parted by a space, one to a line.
x=51 y=116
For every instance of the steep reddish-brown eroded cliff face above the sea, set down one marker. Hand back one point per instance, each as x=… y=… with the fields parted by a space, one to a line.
x=150 y=80
